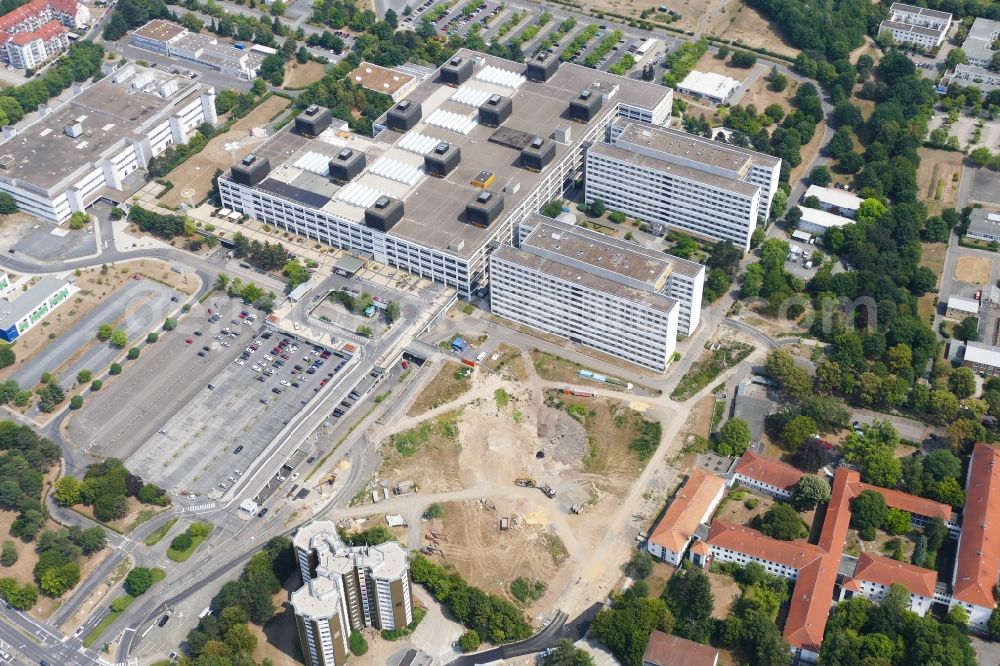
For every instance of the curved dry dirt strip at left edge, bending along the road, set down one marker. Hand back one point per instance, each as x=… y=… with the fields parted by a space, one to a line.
x=94 y=288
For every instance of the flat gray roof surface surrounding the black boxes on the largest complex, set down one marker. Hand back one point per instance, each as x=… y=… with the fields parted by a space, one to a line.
x=434 y=207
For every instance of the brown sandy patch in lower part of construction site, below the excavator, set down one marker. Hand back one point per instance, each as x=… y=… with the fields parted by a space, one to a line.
x=490 y=558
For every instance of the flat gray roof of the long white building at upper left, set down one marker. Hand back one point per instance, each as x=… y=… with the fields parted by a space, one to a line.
x=43 y=156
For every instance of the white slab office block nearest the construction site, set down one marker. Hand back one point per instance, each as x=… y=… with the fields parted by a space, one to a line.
x=608 y=294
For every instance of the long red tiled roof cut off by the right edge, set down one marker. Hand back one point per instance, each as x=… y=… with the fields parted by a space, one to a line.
x=978 y=565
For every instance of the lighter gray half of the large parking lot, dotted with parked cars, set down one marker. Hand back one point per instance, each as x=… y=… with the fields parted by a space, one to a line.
x=203 y=449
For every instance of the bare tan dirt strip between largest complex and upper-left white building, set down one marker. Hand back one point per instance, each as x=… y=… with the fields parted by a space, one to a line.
x=193 y=179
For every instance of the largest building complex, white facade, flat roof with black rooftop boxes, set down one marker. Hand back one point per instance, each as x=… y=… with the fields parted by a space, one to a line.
x=471 y=151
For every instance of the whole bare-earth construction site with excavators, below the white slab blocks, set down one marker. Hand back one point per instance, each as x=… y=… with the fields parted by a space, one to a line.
x=524 y=477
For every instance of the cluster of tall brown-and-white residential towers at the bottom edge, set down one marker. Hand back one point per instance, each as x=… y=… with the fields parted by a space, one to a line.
x=346 y=589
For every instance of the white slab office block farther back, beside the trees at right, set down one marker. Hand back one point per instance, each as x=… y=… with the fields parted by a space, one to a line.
x=667 y=177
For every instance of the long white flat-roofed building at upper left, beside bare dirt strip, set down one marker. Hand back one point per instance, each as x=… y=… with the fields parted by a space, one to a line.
x=80 y=150
